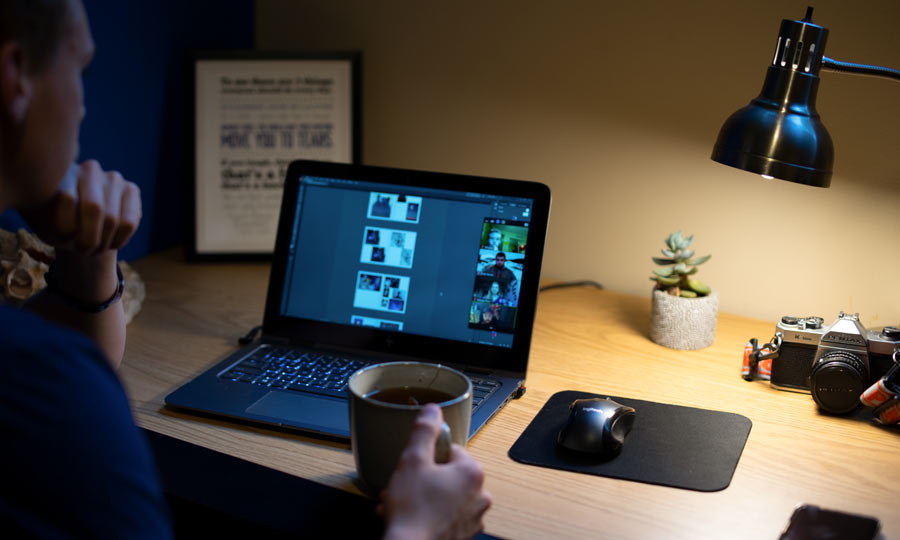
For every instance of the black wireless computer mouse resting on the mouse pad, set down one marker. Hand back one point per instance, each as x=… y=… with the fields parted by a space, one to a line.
x=596 y=426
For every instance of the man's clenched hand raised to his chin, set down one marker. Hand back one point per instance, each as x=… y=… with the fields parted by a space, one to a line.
x=92 y=212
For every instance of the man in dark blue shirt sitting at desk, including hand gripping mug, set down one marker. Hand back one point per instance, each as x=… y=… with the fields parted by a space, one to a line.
x=73 y=462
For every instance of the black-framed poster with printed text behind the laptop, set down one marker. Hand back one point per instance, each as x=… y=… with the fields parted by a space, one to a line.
x=254 y=113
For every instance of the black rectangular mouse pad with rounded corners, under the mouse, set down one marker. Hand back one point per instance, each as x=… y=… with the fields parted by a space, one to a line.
x=669 y=445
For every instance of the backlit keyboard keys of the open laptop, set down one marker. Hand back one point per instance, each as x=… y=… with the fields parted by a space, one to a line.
x=302 y=371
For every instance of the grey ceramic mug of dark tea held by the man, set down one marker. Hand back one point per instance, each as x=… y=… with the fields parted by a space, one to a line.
x=384 y=402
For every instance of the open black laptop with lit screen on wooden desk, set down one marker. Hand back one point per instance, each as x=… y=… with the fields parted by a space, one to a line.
x=374 y=265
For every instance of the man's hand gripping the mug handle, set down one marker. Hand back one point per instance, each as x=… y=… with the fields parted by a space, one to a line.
x=427 y=500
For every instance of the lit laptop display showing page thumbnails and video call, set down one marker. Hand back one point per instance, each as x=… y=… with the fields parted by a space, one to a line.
x=424 y=261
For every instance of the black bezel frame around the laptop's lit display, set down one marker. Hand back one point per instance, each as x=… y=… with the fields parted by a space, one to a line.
x=363 y=339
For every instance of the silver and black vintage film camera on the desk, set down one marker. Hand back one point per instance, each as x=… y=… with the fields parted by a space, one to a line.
x=835 y=363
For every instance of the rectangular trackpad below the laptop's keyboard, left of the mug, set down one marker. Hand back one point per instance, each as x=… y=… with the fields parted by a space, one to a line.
x=307 y=410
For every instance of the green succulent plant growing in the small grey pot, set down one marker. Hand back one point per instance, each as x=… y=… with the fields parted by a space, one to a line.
x=678 y=267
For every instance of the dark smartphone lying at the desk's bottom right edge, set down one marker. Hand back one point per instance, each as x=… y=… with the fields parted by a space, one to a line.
x=810 y=522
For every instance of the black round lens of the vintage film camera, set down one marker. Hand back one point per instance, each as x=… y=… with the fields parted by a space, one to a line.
x=838 y=379
